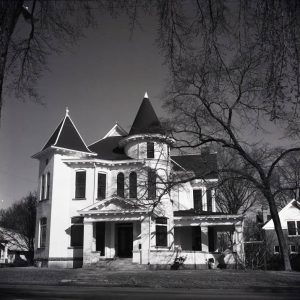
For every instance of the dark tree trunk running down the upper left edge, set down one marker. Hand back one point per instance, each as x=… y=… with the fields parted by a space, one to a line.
x=9 y=14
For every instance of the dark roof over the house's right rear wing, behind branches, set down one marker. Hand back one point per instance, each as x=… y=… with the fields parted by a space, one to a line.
x=203 y=165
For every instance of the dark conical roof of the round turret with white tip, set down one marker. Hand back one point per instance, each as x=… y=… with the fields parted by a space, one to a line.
x=146 y=120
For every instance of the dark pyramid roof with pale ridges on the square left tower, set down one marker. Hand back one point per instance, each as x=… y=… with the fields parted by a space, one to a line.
x=67 y=136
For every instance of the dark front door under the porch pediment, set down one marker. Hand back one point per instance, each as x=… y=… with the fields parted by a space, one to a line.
x=124 y=240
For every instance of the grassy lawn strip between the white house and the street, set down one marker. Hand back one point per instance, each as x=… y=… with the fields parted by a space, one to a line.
x=203 y=279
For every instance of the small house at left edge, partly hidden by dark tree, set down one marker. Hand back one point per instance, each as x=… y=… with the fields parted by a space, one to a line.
x=13 y=249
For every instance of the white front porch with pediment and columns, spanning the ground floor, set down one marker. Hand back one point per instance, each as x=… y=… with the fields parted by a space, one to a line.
x=197 y=239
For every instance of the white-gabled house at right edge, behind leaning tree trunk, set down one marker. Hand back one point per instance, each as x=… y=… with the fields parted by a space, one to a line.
x=290 y=222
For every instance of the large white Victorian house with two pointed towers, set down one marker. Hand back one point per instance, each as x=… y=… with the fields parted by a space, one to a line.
x=106 y=201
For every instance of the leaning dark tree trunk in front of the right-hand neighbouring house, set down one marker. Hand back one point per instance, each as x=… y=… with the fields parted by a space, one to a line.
x=278 y=229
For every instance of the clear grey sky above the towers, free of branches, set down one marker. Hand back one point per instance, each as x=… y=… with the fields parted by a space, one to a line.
x=102 y=81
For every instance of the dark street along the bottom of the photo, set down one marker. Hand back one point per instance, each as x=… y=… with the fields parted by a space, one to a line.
x=78 y=292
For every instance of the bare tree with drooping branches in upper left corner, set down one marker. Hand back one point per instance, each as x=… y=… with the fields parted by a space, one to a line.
x=30 y=31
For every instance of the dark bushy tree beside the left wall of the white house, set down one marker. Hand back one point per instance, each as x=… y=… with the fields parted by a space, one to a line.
x=20 y=219
